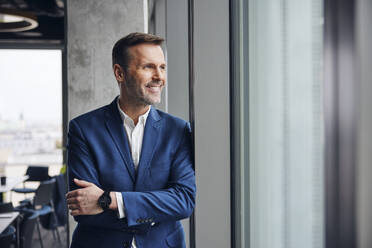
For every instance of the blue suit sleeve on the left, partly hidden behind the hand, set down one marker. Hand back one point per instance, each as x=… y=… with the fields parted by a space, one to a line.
x=82 y=165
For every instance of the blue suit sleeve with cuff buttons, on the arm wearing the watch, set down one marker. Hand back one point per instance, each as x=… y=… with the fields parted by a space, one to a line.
x=173 y=203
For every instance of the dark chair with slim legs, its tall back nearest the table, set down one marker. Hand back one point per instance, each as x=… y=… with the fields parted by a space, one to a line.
x=41 y=205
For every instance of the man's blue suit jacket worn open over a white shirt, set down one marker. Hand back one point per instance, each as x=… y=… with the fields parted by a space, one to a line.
x=156 y=196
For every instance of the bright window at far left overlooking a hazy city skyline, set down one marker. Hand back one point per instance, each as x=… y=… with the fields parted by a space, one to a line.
x=30 y=109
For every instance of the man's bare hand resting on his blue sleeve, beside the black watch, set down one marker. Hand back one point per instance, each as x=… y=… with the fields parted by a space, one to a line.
x=84 y=201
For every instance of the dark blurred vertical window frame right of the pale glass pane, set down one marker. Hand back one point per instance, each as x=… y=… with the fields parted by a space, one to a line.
x=341 y=117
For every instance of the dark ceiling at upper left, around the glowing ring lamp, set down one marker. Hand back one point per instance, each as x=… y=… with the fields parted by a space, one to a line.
x=50 y=17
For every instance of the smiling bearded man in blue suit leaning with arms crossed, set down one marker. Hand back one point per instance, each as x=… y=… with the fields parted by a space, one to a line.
x=130 y=165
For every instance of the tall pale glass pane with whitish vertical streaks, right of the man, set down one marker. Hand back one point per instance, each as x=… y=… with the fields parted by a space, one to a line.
x=280 y=160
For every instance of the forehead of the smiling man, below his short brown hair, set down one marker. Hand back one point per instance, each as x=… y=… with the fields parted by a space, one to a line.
x=147 y=53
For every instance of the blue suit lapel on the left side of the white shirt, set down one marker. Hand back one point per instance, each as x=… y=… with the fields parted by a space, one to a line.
x=114 y=125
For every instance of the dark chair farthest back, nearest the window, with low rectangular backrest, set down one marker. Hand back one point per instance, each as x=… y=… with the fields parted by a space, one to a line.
x=35 y=174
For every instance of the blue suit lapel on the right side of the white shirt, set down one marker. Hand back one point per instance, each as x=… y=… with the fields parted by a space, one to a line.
x=150 y=138
